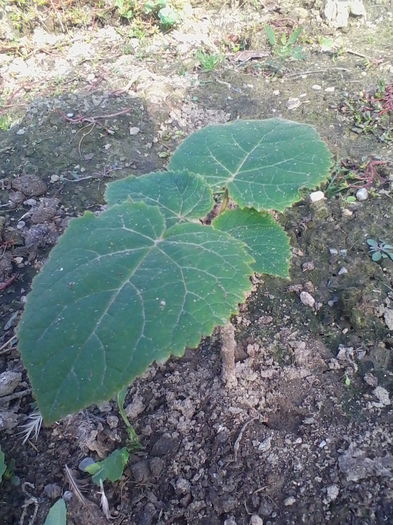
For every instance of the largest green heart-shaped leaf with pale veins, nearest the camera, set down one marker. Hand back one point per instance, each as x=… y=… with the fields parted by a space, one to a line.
x=119 y=291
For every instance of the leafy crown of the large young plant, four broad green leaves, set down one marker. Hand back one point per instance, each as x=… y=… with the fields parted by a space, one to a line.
x=148 y=278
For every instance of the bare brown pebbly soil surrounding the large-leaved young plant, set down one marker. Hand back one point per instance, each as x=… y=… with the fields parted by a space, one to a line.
x=306 y=435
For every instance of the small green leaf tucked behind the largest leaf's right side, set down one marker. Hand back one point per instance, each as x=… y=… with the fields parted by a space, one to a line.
x=267 y=242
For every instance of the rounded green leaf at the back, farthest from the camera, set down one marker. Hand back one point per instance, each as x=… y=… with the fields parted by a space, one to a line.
x=262 y=163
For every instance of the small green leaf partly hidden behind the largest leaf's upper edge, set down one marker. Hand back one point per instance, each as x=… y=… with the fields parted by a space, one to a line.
x=180 y=196
